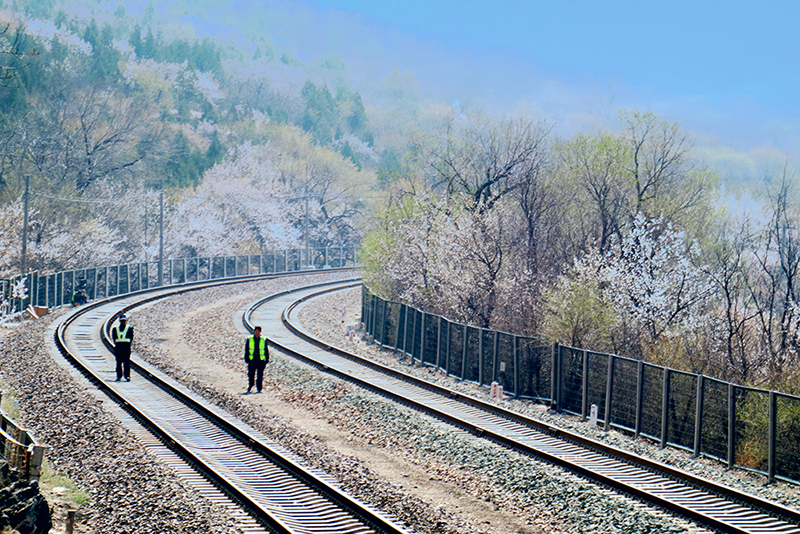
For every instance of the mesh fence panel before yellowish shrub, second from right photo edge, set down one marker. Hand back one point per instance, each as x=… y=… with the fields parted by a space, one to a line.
x=752 y=420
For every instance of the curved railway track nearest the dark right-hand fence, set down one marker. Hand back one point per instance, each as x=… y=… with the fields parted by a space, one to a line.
x=709 y=504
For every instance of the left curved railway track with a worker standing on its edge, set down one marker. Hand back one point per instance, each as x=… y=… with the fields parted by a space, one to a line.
x=266 y=487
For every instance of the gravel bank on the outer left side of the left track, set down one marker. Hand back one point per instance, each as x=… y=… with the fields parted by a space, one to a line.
x=131 y=491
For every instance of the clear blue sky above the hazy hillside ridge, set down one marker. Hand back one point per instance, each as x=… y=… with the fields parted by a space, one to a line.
x=716 y=50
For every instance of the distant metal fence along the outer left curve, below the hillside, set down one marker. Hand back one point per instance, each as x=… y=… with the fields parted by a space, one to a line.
x=57 y=289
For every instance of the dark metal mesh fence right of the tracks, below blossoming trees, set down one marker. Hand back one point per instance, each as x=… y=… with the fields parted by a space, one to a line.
x=741 y=426
